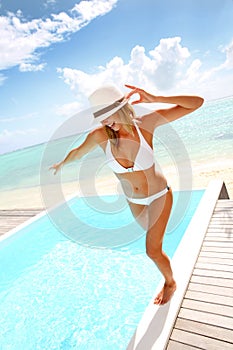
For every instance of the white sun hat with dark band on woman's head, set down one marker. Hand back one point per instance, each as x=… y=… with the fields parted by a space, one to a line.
x=105 y=101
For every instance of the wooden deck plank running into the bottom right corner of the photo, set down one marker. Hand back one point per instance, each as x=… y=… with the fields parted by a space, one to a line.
x=199 y=341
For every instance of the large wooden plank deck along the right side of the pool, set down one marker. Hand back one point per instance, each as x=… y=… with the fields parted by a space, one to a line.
x=205 y=319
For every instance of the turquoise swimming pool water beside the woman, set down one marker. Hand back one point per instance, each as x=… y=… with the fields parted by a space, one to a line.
x=57 y=294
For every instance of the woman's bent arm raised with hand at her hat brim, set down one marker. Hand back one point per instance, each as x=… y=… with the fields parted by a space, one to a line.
x=183 y=104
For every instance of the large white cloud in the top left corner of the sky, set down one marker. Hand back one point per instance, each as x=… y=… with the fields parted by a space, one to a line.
x=20 y=39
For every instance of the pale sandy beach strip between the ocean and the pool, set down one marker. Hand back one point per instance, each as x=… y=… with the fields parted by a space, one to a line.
x=33 y=197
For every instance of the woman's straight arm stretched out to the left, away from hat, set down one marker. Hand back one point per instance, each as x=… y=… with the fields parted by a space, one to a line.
x=90 y=143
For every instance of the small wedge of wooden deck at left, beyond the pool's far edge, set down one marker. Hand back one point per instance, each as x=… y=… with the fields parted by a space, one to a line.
x=10 y=219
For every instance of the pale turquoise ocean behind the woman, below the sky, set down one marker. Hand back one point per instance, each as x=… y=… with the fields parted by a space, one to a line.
x=203 y=138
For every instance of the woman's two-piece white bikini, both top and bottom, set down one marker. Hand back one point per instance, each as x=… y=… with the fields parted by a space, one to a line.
x=144 y=160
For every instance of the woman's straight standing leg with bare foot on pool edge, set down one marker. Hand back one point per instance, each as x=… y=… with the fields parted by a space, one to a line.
x=159 y=212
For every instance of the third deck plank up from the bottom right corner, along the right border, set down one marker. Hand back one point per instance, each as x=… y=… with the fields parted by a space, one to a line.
x=208 y=318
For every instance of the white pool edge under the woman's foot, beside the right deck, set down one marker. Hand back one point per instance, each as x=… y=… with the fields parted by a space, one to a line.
x=156 y=324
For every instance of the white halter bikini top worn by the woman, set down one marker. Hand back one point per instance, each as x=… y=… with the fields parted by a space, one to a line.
x=144 y=158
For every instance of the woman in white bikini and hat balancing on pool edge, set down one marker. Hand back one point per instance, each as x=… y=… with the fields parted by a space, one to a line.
x=127 y=143
